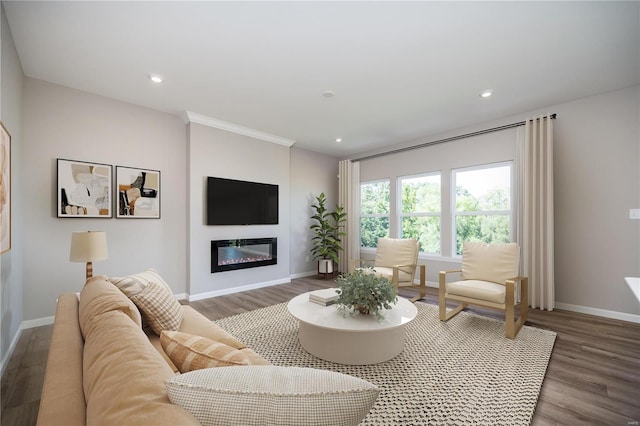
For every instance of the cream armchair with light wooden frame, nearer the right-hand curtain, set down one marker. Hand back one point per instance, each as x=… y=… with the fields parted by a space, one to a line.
x=489 y=278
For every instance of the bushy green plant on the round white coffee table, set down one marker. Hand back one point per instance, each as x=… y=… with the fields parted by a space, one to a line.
x=364 y=292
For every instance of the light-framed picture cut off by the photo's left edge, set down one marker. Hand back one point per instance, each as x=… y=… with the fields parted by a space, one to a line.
x=5 y=189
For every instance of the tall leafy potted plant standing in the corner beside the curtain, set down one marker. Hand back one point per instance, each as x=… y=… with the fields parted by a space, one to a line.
x=326 y=244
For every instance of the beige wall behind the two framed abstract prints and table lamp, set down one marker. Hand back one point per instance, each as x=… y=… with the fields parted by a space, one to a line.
x=70 y=124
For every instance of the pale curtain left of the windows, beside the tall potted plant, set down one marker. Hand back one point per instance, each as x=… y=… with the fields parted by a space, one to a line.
x=349 y=199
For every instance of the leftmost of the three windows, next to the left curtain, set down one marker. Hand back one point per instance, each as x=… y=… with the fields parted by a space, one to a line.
x=374 y=212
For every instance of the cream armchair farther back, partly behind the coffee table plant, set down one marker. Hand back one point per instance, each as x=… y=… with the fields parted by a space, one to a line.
x=397 y=260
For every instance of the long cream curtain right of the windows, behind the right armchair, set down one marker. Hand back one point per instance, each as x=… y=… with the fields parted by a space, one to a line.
x=535 y=208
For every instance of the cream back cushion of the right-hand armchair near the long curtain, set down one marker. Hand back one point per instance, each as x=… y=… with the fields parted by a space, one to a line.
x=490 y=262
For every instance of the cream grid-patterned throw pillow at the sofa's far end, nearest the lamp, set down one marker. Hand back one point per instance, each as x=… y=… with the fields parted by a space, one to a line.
x=160 y=309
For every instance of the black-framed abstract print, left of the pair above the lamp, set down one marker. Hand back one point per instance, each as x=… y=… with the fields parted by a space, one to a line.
x=84 y=189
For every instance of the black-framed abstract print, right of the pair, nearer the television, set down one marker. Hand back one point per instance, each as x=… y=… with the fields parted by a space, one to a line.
x=138 y=193
